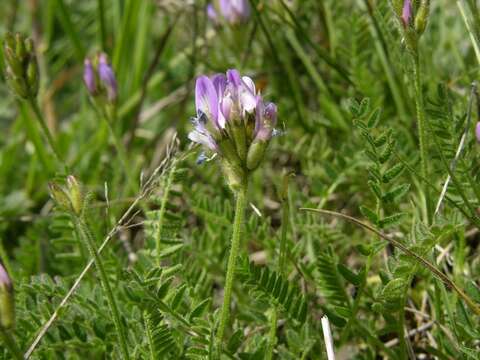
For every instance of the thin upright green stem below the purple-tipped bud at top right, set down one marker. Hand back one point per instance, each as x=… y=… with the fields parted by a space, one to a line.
x=421 y=124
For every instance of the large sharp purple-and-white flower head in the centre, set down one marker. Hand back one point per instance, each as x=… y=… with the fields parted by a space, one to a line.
x=233 y=121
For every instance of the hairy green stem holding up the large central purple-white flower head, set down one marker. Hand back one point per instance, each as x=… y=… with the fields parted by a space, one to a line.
x=232 y=260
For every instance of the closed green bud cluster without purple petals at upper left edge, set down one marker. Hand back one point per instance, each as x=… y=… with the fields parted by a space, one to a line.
x=21 y=70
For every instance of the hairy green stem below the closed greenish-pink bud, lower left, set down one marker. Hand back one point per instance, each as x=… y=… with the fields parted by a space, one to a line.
x=85 y=234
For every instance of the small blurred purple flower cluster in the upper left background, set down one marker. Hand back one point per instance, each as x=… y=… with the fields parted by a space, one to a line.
x=99 y=77
